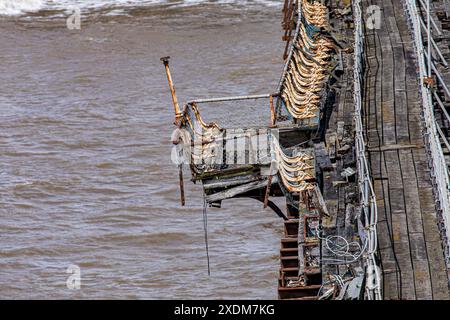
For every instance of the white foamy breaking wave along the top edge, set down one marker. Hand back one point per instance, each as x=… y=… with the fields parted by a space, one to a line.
x=23 y=7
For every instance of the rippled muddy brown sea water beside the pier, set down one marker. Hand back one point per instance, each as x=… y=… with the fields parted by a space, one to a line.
x=85 y=170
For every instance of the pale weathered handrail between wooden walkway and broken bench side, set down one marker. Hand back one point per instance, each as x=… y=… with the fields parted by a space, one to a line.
x=367 y=194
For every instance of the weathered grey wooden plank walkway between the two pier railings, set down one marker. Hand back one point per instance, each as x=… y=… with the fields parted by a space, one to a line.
x=412 y=259
